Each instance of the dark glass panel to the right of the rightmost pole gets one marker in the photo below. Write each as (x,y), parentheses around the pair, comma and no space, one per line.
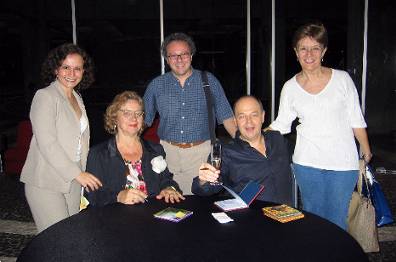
(381,71)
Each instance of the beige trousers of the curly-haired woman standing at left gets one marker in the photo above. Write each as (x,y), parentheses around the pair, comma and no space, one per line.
(49,207)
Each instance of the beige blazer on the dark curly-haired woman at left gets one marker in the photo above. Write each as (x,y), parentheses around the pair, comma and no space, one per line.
(50,162)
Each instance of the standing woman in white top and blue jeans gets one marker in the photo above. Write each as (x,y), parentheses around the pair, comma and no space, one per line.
(325,100)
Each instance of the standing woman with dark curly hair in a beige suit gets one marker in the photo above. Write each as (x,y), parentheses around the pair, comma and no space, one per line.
(54,169)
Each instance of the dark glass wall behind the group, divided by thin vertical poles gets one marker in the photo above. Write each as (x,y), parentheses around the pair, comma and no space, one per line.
(123,37)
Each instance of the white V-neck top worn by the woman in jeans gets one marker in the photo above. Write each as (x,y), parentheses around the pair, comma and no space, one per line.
(325,136)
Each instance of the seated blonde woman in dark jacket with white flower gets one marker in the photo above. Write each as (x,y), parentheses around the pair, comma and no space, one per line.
(131,169)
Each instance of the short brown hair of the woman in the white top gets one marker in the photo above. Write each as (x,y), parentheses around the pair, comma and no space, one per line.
(315,30)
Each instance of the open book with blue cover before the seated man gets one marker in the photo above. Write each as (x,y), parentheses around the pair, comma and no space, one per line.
(241,200)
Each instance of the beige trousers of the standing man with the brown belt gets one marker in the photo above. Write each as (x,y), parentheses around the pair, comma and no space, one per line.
(184,163)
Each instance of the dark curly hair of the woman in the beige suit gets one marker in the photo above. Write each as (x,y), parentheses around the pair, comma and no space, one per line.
(55,58)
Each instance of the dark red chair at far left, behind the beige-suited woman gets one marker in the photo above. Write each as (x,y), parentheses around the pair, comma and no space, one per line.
(14,158)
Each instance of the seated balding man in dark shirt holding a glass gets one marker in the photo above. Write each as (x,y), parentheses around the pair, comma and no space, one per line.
(253,155)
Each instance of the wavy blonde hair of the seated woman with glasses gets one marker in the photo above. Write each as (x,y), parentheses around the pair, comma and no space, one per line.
(110,117)
